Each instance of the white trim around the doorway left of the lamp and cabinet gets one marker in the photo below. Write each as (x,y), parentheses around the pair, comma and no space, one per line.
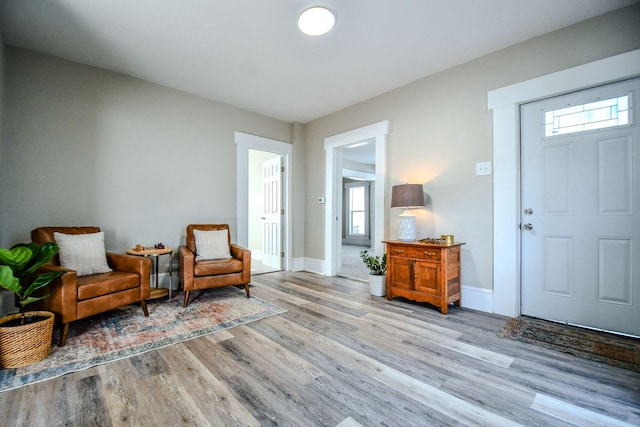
(333,187)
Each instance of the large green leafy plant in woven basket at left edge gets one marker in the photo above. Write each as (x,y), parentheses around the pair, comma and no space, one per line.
(25,337)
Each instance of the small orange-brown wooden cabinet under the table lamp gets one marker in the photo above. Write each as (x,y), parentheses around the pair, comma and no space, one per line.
(424,272)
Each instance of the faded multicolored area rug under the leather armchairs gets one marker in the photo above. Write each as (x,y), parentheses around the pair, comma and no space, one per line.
(125,332)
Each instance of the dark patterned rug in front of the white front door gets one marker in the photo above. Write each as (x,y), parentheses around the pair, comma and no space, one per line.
(604,347)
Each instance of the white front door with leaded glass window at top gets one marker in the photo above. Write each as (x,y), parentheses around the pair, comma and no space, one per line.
(580,201)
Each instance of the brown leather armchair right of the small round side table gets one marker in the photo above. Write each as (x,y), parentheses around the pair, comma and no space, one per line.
(197,275)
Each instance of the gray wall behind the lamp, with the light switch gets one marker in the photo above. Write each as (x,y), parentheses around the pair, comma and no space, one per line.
(440,127)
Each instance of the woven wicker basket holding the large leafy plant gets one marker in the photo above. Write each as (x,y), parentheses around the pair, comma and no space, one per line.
(25,344)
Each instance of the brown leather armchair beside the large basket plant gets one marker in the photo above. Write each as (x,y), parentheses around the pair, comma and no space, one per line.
(74,298)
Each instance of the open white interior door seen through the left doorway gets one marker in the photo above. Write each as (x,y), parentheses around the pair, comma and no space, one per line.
(272,212)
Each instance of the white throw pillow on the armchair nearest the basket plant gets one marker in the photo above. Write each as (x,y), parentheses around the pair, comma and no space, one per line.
(84,253)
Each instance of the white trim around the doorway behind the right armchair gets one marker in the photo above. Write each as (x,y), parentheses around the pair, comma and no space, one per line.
(245,142)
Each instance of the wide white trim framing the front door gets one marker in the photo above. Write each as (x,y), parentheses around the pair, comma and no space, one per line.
(505,104)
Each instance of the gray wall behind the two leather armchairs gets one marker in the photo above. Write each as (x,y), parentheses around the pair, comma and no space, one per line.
(84,146)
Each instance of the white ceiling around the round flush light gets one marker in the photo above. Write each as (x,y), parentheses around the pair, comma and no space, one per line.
(250,54)
